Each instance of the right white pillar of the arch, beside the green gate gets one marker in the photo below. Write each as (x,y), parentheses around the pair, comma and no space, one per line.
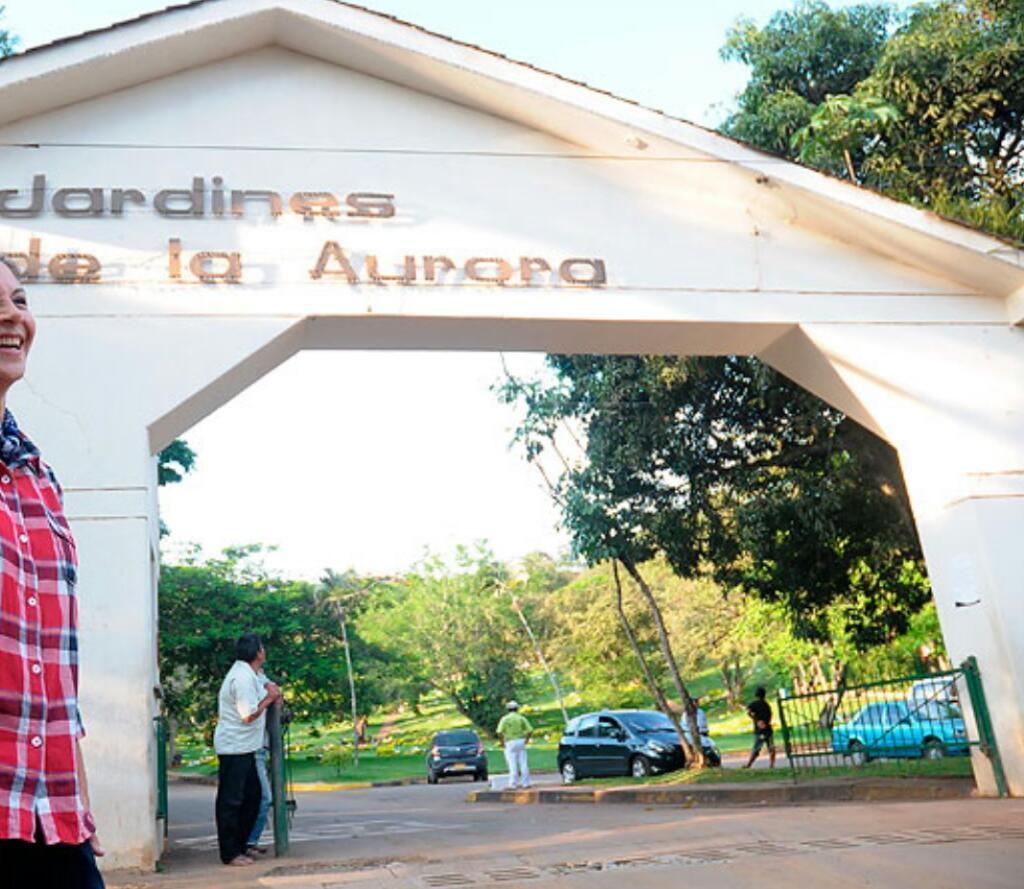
(952,400)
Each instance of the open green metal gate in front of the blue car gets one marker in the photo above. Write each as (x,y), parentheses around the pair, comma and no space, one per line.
(909,721)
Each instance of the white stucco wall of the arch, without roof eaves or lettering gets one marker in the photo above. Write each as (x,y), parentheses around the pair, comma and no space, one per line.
(700,259)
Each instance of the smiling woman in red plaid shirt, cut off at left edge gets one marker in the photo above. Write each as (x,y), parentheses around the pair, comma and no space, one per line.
(48,833)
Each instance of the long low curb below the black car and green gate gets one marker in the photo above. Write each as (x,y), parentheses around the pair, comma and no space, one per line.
(840,790)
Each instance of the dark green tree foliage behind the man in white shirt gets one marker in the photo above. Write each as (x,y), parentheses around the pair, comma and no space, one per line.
(205,607)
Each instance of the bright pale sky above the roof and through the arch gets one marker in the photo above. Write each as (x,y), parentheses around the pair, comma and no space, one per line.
(411,453)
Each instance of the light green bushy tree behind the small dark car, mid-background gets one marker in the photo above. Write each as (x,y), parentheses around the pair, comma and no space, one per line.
(453,630)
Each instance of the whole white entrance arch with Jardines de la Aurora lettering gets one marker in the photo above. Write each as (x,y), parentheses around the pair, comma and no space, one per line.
(537,215)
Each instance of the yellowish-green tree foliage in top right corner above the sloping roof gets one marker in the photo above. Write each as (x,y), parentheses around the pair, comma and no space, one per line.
(956,72)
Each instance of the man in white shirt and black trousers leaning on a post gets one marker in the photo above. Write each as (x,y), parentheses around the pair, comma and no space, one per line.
(242,707)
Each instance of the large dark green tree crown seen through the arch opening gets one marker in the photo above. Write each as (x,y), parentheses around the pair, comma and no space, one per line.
(724,465)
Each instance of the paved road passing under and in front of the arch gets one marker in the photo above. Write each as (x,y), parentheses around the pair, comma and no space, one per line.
(429,837)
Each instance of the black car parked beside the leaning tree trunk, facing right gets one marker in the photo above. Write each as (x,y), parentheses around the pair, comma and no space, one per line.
(634,743)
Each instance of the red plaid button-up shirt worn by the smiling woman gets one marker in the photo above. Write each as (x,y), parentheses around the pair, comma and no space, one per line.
(39,716)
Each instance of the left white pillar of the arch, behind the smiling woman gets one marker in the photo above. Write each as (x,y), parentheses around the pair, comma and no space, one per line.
(133,386)
